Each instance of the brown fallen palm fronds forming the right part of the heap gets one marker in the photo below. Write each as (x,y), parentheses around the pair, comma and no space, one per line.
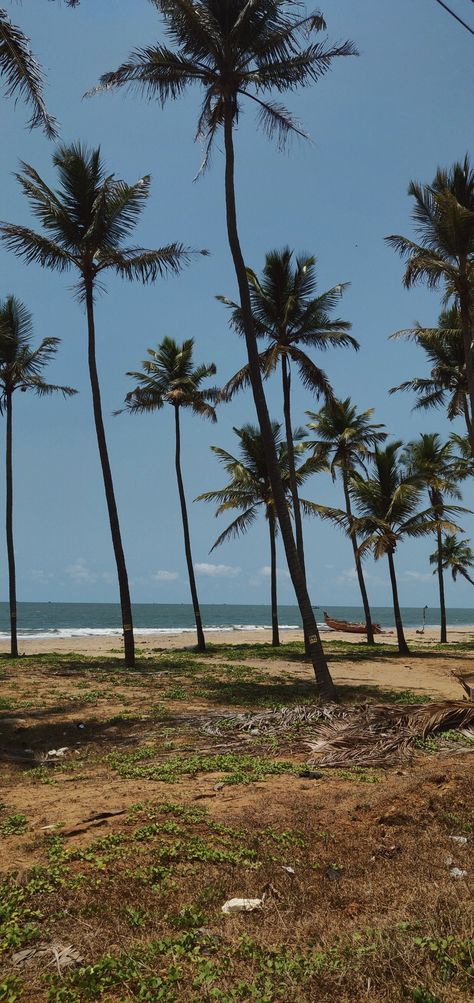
(383,736)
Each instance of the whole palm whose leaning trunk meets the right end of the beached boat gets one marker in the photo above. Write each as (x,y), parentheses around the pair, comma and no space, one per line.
(348,438)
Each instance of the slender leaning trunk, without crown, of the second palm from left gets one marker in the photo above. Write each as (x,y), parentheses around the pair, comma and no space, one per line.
(128,624)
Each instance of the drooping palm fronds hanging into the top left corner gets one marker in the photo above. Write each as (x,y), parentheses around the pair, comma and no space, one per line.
(24,76)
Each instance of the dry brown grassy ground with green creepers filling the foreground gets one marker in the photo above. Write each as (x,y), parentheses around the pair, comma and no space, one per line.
(372,912)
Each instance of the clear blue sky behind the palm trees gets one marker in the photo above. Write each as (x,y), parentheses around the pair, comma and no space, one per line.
(394,114)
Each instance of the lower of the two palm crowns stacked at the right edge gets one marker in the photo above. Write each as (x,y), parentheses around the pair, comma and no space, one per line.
(446,387)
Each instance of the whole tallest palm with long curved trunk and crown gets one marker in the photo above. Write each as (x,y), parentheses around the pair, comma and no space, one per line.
(238,50)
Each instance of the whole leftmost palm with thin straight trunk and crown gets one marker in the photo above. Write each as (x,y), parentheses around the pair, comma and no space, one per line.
(22,369)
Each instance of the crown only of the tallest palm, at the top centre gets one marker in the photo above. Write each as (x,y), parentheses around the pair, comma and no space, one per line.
(234,50)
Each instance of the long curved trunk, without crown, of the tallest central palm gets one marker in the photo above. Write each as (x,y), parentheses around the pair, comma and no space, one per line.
(317,655)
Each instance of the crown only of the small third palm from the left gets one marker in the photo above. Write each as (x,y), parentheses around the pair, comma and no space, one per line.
(170,377)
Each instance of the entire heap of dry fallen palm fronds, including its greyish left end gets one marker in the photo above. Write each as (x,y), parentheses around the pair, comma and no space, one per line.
(369,736)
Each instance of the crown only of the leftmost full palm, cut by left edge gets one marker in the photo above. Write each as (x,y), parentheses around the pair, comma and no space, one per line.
(22,366)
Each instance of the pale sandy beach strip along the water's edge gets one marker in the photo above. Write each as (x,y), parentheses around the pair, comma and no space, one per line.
(111,643)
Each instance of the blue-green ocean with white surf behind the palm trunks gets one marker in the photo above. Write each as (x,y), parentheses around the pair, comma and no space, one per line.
(57,620)
